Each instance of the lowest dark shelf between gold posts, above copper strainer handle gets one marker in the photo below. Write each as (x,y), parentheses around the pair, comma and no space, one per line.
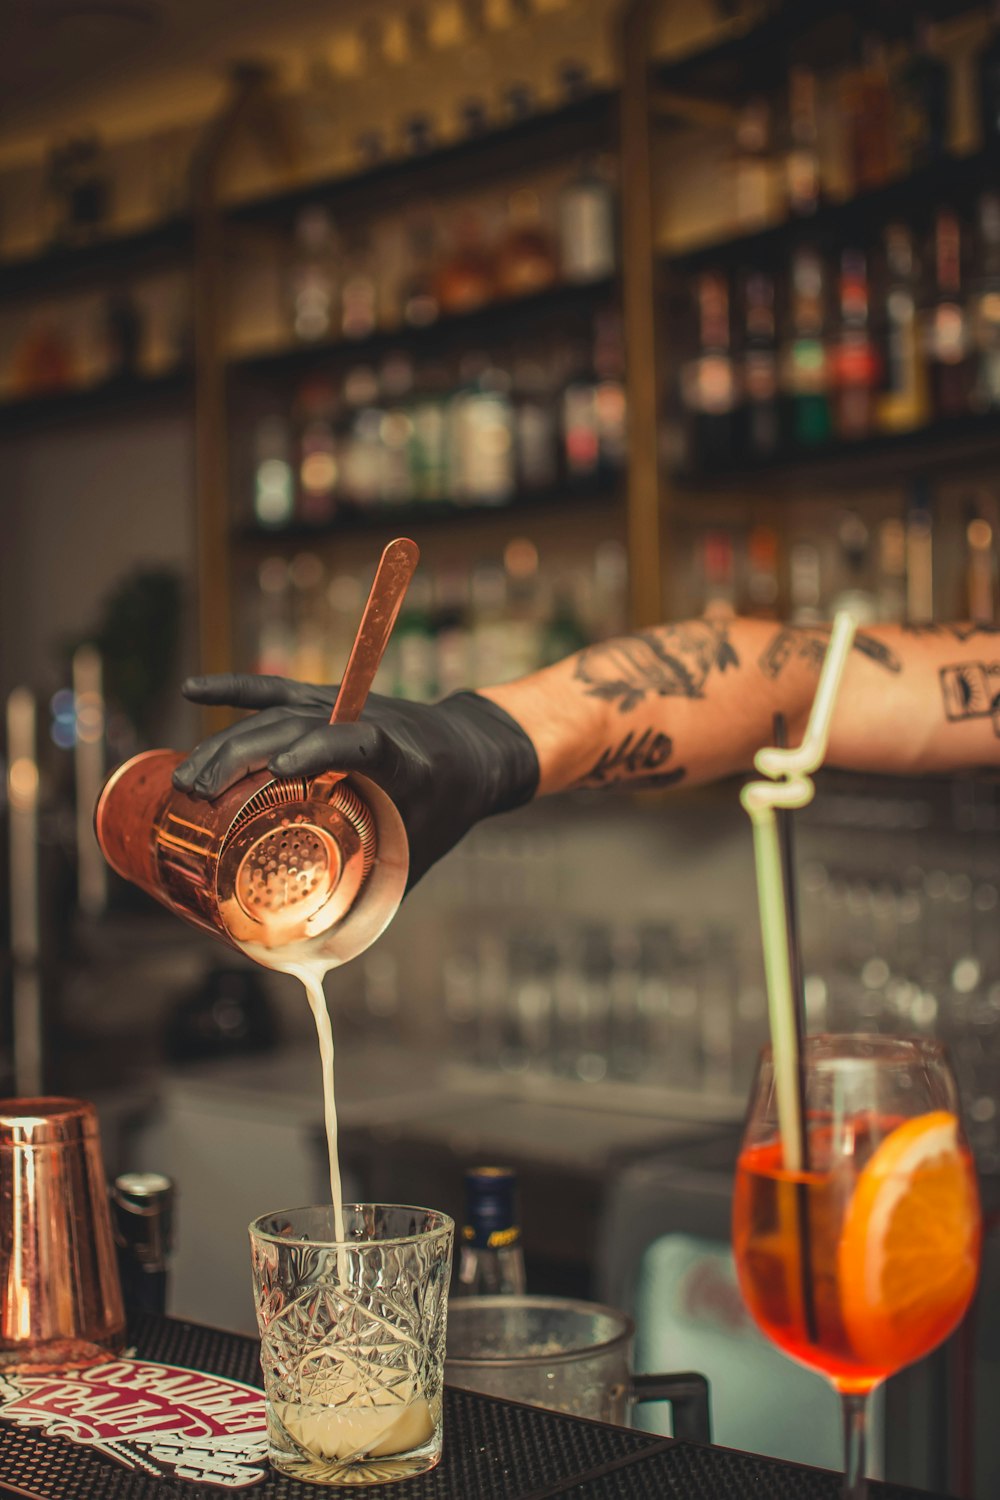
(567,500)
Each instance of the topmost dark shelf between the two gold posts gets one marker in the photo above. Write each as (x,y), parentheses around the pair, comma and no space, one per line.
(582,125)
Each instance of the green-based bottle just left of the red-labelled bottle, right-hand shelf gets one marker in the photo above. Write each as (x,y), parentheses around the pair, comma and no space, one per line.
(806,362)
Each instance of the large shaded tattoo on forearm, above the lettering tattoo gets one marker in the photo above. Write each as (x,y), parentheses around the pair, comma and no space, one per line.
(668,662)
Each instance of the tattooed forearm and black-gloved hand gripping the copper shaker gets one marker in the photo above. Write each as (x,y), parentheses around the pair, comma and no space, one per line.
(684,703)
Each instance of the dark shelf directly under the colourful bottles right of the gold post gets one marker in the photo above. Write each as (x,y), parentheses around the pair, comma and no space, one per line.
(938,451)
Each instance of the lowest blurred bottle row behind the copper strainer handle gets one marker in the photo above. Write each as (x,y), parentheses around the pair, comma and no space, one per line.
(460,628)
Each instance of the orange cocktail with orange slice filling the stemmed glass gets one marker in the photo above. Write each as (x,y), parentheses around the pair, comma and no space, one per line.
(893,1244)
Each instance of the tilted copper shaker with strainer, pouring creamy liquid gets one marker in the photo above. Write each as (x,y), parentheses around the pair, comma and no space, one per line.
(274,865)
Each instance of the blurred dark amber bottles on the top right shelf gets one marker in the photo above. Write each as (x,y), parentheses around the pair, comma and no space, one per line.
(887,115)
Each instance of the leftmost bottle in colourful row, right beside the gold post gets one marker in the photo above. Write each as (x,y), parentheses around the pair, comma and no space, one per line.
(710,380)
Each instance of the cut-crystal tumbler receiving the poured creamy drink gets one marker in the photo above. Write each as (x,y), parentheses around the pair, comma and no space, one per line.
(353,1337)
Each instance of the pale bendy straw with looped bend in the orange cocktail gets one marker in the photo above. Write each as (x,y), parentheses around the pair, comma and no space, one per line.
(789,787)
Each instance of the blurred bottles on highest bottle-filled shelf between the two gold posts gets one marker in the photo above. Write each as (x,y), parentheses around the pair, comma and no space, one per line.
(346,284)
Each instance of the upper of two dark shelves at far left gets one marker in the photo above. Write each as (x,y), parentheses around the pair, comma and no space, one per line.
(65,268)
